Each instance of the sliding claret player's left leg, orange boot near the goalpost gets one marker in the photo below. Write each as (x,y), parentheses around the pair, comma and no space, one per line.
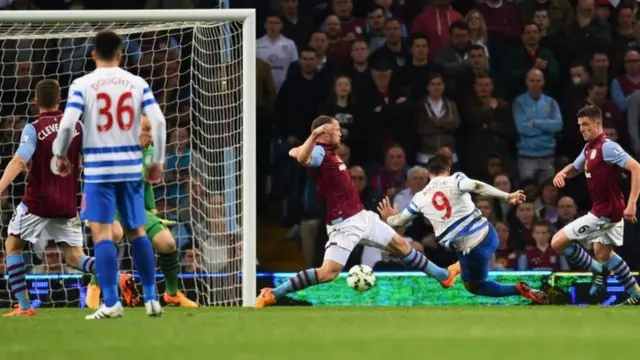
(302,280)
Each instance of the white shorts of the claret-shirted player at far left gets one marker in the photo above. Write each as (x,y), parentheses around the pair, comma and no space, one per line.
(38,230)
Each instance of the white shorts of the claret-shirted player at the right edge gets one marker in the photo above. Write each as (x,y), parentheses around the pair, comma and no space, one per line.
(590,228)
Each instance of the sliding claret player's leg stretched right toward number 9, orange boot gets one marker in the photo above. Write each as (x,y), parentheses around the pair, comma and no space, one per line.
(402,249)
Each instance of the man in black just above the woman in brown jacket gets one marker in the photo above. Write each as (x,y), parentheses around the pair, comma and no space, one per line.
(414,74)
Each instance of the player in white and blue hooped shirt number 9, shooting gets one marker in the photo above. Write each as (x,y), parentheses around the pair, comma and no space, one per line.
(446,202)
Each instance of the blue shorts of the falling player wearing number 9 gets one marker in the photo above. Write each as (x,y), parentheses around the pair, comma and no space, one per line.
(475,264)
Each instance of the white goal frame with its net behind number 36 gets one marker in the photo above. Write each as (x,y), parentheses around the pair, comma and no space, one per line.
(220,102)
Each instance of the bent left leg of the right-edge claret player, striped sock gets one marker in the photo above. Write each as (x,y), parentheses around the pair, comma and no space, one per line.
(577,256)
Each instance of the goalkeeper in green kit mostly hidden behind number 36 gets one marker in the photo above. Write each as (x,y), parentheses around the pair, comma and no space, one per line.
(160,236)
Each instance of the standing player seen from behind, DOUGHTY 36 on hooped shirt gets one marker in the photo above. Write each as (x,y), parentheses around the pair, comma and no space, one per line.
(112,101)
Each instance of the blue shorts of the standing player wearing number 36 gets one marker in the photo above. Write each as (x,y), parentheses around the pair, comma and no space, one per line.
(101,200)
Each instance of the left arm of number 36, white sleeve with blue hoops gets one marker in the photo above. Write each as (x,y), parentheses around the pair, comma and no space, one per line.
(72,113)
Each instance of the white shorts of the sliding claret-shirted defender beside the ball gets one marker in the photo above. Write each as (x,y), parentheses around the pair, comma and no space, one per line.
(365,228)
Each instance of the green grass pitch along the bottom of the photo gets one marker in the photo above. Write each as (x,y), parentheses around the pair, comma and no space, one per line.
(430,333)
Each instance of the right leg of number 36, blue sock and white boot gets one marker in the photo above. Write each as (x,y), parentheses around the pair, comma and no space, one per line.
(144,261)
